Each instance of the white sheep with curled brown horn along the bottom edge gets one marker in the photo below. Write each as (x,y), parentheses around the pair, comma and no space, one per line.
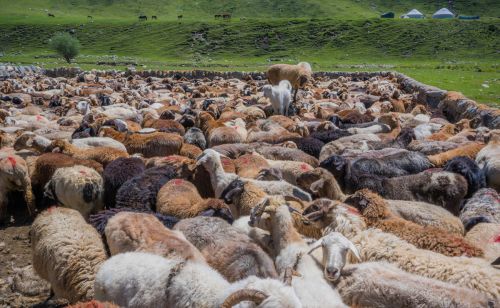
(137,279)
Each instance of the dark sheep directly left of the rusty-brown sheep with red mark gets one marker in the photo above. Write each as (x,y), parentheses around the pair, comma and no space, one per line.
(140,191)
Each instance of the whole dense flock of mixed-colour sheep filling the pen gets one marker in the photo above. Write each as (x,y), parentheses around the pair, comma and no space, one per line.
(176,192)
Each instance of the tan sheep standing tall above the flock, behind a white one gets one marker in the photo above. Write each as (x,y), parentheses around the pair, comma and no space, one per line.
(298,75)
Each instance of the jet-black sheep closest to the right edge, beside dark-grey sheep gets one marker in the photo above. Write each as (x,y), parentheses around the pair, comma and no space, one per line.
(469,169)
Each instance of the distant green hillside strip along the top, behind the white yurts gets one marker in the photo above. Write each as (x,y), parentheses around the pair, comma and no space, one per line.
(33,10)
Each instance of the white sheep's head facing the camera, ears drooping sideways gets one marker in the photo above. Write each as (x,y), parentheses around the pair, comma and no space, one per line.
(335,248)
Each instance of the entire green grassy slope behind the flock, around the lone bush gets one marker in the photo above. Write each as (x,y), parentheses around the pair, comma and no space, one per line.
(457,55)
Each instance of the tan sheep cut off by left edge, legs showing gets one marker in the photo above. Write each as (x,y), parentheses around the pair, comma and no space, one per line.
(14,177)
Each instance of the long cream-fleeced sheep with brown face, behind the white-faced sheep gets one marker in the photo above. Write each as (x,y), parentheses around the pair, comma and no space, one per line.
(376,245)
